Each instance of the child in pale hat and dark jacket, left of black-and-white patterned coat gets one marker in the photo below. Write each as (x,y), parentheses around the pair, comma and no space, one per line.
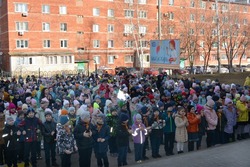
(49,135)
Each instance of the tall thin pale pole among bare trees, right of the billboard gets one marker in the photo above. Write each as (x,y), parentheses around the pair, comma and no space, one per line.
(218,35)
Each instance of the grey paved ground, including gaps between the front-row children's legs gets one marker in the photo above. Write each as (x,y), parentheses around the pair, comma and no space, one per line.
(231,155)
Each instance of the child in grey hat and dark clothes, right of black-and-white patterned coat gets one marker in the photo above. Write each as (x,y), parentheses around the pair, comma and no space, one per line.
(83,134)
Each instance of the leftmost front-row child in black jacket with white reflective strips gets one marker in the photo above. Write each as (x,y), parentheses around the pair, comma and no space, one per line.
(11,135)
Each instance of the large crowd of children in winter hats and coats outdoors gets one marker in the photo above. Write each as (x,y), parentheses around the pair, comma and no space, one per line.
(64,115)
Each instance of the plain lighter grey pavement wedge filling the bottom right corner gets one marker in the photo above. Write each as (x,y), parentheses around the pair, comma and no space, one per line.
(231,155)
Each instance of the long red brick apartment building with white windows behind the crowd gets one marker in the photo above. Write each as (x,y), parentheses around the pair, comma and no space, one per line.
(52,35)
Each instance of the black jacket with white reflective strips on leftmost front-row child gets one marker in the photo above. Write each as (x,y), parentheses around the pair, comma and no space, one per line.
(10,141)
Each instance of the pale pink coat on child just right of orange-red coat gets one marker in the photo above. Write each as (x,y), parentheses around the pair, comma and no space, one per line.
(211,118)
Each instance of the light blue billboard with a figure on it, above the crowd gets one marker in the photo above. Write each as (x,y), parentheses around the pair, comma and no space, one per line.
(165,54)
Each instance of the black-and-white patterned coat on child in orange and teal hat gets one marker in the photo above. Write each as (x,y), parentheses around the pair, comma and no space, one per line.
(65,141)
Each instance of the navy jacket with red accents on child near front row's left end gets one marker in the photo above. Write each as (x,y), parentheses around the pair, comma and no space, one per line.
(31,125)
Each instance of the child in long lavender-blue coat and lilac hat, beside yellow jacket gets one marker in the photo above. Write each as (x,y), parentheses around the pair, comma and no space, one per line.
(230,113)
